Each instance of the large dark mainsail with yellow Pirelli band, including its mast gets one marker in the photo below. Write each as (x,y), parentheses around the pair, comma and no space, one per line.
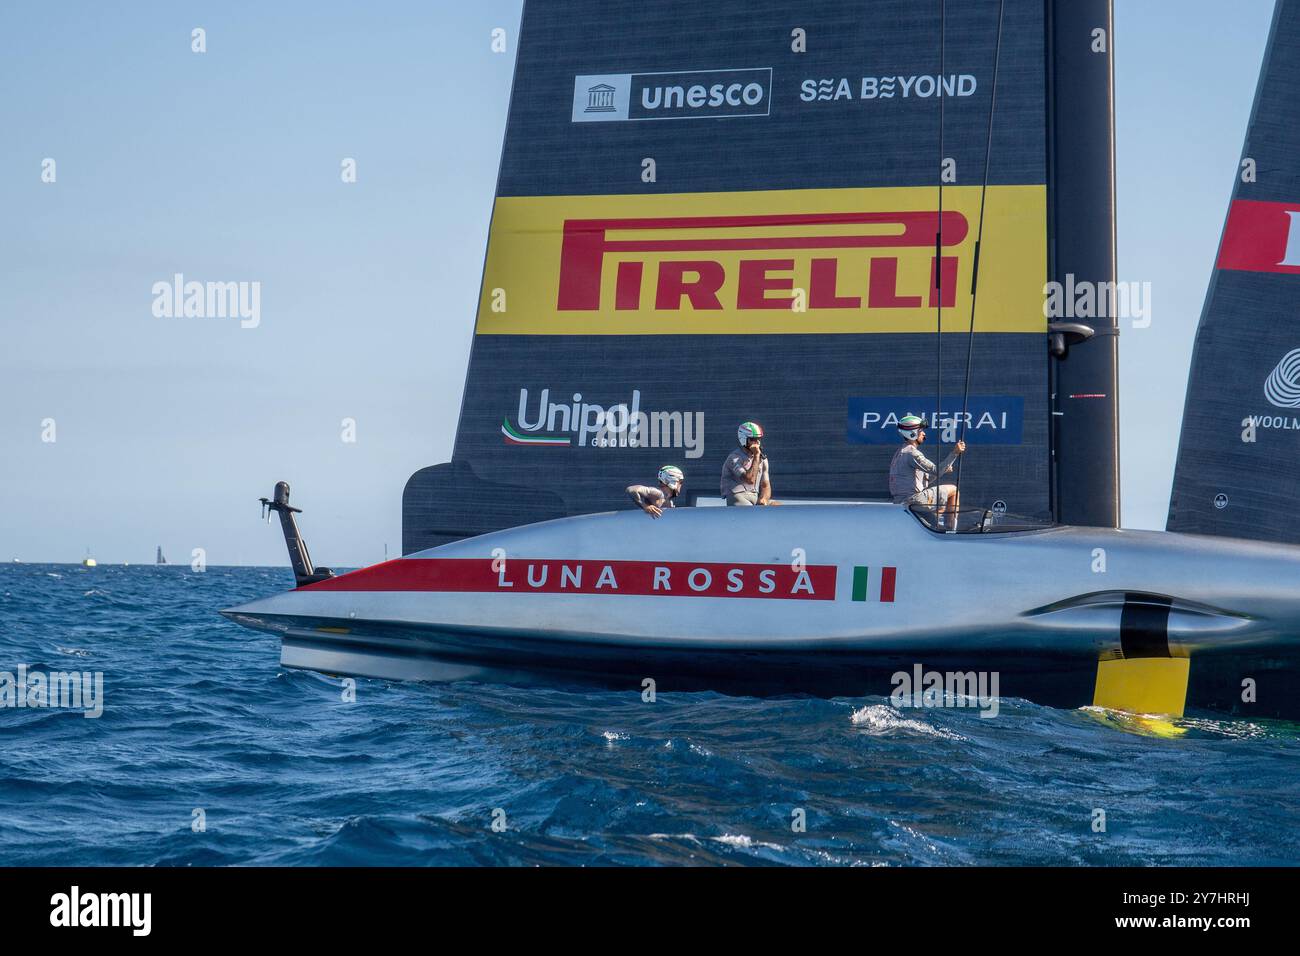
(716,214)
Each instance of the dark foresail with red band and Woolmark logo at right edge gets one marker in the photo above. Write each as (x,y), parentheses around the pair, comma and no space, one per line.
(1236,474)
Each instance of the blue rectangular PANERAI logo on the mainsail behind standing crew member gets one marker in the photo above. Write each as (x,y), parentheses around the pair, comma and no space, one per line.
(987,419)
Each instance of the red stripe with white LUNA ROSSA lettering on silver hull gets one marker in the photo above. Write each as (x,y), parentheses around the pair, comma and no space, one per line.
(584,577)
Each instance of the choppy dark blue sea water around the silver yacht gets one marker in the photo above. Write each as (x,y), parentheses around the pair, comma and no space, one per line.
(210,754)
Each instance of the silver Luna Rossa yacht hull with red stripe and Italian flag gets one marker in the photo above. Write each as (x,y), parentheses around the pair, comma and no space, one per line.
(827,600)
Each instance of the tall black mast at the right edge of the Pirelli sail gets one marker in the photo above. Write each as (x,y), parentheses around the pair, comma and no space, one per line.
(1082,174)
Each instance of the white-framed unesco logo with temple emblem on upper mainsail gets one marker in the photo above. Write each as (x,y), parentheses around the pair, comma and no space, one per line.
(686,96)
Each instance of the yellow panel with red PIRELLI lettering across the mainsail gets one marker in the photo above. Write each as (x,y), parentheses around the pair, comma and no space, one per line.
(820,261)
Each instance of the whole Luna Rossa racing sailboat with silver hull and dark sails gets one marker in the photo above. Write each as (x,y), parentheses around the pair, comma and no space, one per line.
(824,252)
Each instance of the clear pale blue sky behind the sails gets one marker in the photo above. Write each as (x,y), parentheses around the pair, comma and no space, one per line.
(228,165)
